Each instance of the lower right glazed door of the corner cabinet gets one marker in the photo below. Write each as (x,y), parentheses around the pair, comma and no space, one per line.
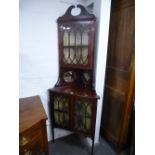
(83,116)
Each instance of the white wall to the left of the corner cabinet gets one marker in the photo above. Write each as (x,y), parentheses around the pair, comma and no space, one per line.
(38,49)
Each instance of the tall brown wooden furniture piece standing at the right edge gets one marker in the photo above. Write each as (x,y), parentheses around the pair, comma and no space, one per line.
(119,82)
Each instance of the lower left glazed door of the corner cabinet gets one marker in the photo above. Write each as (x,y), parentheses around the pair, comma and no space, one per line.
(61,111)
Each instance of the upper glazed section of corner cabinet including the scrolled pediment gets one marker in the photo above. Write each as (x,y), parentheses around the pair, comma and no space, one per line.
(76,39)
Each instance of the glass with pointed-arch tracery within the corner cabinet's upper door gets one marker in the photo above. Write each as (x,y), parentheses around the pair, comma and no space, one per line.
(76,37)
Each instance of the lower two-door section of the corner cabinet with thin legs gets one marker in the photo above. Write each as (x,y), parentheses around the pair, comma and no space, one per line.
(73,112)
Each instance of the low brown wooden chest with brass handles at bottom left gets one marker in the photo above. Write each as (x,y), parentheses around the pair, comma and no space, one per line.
(32,127)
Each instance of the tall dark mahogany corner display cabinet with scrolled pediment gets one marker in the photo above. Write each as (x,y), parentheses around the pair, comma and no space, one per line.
(73,100)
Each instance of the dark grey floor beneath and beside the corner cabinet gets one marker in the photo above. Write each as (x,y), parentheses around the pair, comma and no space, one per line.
(74,145)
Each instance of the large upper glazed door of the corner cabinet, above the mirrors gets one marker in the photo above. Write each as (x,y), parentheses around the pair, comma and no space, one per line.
(76,47)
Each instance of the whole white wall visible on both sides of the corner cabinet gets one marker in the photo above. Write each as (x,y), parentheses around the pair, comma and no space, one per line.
(39,49)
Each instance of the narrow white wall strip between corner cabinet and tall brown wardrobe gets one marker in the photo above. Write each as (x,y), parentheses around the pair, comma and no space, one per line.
(102,13)
